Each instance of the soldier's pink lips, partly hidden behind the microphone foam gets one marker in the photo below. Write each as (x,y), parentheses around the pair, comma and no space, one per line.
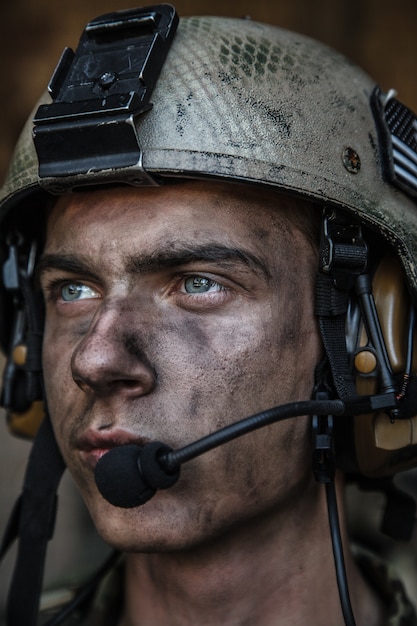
(92,445)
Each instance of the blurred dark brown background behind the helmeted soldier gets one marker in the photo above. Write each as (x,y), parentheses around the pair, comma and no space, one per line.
(379,35)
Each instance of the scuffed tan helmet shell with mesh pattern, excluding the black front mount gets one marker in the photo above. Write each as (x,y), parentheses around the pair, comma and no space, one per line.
(254,103)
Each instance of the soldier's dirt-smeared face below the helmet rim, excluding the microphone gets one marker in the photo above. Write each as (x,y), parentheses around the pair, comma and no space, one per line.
(170,313)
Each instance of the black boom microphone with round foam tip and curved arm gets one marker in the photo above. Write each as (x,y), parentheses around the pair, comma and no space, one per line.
(128,476)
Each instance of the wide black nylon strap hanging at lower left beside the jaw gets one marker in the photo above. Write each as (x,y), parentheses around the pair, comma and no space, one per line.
(36,517)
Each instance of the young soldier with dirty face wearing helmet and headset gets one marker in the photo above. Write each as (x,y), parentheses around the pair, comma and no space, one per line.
(199,225)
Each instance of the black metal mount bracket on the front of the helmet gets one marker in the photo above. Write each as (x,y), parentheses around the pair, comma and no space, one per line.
(98,93)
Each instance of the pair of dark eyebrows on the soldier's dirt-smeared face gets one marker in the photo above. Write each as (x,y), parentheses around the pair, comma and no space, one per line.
(173,256)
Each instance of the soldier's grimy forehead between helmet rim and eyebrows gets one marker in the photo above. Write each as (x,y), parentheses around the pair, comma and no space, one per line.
(198,211)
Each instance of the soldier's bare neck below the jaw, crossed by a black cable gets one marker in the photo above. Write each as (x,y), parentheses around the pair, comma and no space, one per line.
(266,572)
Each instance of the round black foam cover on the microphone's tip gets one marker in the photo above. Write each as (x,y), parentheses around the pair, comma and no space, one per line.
(128,476)
